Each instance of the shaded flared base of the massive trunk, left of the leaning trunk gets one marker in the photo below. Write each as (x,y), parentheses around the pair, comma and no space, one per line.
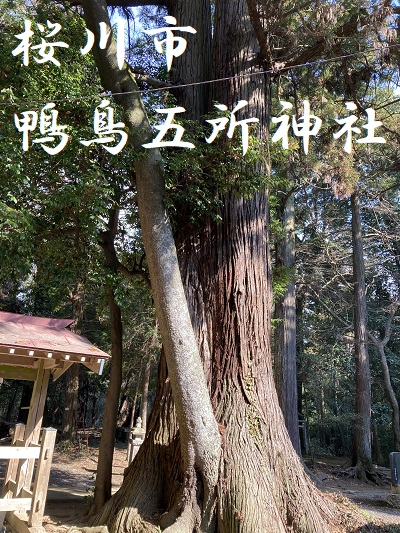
(155,476)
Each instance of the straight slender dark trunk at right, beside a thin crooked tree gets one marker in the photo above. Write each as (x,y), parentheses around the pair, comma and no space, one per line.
(362,455)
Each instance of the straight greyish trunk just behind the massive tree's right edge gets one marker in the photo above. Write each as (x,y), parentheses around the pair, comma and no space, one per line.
(285,371)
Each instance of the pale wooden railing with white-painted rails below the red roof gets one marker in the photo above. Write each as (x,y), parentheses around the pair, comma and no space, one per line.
(18,493)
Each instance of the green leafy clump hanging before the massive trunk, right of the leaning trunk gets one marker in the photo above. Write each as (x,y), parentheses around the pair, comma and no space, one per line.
(197,179)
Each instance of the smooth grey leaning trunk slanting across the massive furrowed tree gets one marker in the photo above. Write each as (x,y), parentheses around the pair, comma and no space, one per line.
(200,443)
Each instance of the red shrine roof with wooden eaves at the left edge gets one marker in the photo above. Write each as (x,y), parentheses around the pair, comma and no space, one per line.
(24,340)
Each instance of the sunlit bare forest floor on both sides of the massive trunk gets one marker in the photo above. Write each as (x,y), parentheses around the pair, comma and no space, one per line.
(73,475)
